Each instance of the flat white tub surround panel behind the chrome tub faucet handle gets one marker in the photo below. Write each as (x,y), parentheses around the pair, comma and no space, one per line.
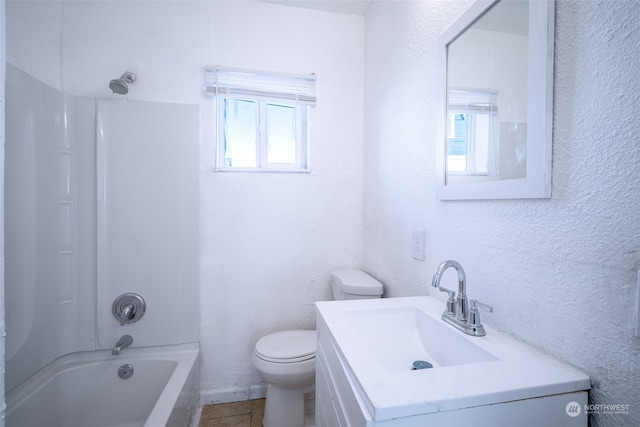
(147,157)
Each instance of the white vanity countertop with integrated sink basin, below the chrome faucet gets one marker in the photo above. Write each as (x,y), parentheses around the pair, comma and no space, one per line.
(379,339)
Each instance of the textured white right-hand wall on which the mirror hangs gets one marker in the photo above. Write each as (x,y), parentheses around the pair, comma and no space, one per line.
(561,273)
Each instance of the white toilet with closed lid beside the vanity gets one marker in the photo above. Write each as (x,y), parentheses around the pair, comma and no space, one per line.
(286,360)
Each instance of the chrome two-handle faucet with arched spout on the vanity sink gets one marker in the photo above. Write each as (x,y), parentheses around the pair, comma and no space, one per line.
(458,314)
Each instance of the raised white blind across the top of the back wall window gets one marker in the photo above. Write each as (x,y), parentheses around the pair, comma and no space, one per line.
(261,84)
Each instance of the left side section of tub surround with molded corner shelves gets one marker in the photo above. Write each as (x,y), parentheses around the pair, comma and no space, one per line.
(50,218)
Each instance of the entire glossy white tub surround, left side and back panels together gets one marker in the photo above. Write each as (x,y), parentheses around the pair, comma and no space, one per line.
(84,200)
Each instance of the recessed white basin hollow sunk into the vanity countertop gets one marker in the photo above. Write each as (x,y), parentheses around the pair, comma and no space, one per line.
(397,337)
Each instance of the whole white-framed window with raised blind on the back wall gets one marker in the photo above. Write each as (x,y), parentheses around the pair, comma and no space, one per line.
(262,119)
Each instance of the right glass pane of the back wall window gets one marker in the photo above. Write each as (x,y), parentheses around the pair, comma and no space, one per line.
(281,133)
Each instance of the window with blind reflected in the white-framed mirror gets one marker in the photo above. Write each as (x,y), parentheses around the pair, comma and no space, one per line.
(471,118)
